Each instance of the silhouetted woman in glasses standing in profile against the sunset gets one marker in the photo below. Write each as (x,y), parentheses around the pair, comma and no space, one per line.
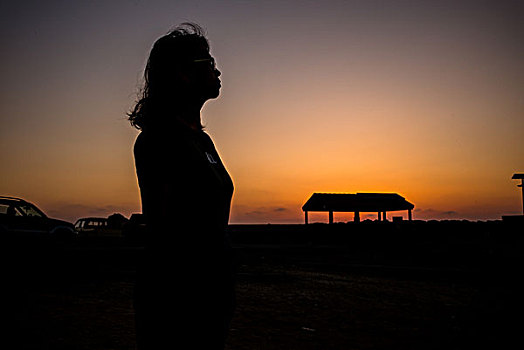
(184,289)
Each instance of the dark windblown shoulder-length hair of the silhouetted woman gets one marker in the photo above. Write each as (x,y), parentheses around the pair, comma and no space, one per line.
(168,53)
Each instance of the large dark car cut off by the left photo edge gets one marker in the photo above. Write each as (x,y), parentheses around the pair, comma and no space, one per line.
(21,219)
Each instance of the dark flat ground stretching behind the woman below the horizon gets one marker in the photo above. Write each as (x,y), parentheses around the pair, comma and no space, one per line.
(422,285)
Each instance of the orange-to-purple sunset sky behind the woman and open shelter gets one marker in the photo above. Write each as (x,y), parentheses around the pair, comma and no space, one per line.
(420,98)
